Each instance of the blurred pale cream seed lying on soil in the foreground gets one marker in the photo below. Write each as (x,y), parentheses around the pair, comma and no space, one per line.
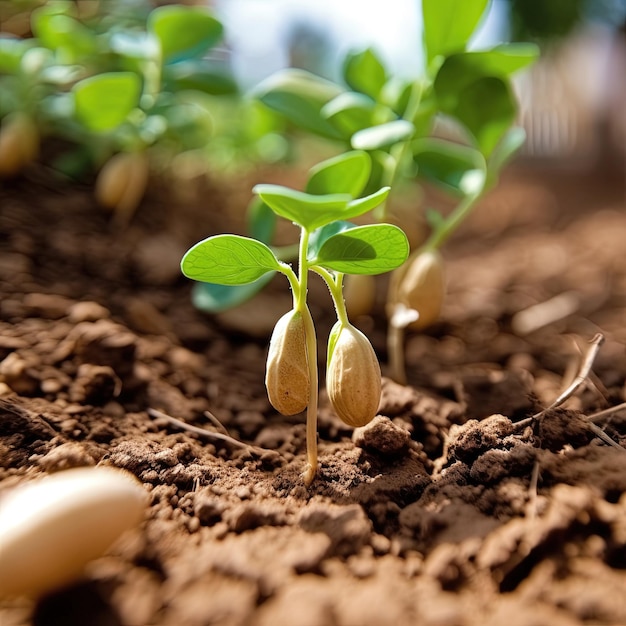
(52,527)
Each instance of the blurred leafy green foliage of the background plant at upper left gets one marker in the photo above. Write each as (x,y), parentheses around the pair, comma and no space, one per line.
(116,77)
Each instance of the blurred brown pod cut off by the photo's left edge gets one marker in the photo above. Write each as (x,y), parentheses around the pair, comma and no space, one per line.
(19,144)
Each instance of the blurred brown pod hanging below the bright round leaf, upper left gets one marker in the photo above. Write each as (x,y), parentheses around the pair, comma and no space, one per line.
(122,183)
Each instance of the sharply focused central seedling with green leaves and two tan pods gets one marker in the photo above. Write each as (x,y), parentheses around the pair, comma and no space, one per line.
(331,247)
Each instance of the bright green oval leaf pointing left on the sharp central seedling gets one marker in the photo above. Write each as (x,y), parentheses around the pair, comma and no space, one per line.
(228,260)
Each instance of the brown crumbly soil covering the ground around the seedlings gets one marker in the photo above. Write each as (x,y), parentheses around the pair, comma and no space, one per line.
(451,508)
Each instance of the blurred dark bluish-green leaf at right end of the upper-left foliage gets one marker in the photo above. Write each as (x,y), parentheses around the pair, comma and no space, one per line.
(199,75)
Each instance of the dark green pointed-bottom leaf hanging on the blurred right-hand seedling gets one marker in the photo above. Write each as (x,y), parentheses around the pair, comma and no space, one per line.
(487,108)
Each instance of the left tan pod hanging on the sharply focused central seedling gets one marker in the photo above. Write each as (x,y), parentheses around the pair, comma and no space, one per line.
(287,372)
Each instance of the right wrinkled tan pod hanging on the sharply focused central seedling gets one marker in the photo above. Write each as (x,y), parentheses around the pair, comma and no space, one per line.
(353,378)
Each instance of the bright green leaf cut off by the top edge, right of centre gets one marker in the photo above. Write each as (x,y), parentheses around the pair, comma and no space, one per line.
(449,24)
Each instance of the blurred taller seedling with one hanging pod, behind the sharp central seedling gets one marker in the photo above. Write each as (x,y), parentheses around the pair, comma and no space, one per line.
(397,122)
